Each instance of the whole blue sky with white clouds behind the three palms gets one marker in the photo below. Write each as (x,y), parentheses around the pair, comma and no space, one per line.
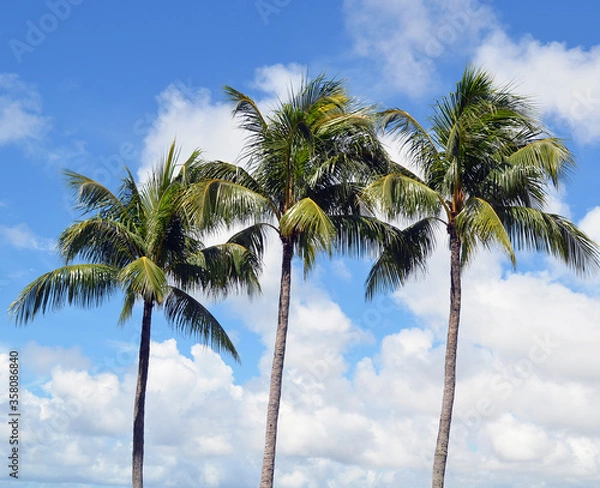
(94,86)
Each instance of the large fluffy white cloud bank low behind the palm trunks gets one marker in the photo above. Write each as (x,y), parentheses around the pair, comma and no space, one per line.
(525,409)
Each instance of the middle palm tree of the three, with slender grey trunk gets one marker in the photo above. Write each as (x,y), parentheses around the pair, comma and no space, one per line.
(306,163)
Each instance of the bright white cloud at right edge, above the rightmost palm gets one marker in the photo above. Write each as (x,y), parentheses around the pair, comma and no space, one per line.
(562,80)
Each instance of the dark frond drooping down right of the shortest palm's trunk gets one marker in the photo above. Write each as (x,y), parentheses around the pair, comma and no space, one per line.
(189,316)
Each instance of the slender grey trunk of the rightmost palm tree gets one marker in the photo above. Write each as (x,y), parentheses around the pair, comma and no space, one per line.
(441,449)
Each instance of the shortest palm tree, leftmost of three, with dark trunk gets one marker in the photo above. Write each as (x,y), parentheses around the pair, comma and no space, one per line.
(140,241)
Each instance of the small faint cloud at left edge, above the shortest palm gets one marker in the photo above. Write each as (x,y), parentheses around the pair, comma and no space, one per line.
(20,111)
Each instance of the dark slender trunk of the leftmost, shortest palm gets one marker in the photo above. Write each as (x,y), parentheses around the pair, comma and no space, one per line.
(137,475)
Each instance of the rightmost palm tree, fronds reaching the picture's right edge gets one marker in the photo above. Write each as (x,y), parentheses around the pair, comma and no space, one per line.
(484,171)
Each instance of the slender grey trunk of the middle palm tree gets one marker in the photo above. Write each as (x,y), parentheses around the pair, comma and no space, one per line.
(268,467)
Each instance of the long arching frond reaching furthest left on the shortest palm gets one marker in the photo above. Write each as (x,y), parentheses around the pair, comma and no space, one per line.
(84,285)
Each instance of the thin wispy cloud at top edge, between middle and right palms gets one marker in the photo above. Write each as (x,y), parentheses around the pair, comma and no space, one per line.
(406,38)
